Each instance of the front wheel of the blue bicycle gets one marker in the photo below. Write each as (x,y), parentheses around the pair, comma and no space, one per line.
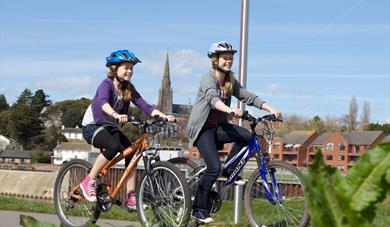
(291,211)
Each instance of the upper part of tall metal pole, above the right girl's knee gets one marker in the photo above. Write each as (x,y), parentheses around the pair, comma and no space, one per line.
(243,49)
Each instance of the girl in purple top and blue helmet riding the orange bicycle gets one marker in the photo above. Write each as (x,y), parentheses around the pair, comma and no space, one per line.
(108,110)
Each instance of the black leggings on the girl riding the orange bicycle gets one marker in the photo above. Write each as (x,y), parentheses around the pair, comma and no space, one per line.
(112,141)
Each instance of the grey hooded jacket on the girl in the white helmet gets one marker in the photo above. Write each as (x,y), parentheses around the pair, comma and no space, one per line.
(208,95)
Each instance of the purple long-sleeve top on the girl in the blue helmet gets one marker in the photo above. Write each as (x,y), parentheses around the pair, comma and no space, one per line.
(106,94)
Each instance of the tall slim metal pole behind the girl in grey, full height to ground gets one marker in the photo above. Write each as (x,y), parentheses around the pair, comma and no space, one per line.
(243,65)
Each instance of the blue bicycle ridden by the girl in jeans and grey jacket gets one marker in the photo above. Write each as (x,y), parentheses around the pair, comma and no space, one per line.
(274,192)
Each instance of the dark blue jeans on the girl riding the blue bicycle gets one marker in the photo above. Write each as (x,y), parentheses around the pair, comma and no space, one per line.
(207,142)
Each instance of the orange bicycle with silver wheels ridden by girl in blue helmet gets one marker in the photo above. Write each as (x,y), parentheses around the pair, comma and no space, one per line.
(162,192)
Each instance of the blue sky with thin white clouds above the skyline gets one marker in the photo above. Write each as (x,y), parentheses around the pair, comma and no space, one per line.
(304,57)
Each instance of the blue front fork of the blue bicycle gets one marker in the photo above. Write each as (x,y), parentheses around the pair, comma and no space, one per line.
(264,170)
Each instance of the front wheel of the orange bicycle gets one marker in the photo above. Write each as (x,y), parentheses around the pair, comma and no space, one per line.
(171,205)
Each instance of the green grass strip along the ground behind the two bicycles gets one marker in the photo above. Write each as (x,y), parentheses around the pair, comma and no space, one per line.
(224,217)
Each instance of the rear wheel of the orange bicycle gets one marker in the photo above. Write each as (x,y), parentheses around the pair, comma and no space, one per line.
(73,212)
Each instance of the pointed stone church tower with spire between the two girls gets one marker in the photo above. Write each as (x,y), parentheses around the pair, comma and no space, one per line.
(165,98)
